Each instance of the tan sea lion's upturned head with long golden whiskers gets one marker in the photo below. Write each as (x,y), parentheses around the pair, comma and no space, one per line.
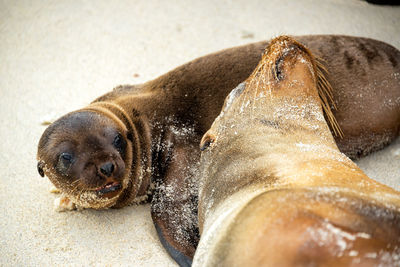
(288,73)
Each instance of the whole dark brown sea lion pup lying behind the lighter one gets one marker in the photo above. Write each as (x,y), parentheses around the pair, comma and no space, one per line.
(111,152)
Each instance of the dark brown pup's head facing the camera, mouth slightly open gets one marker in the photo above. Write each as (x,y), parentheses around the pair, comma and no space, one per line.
(87,154)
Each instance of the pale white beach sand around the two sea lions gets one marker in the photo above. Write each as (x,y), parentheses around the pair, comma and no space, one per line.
(57,56)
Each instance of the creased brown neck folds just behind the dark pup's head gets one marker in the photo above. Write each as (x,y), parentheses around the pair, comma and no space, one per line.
(139,162)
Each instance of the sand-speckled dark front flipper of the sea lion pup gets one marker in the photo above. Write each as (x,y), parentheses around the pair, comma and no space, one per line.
(174,204)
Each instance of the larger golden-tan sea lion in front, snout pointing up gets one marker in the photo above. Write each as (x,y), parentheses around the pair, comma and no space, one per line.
(274,188)
